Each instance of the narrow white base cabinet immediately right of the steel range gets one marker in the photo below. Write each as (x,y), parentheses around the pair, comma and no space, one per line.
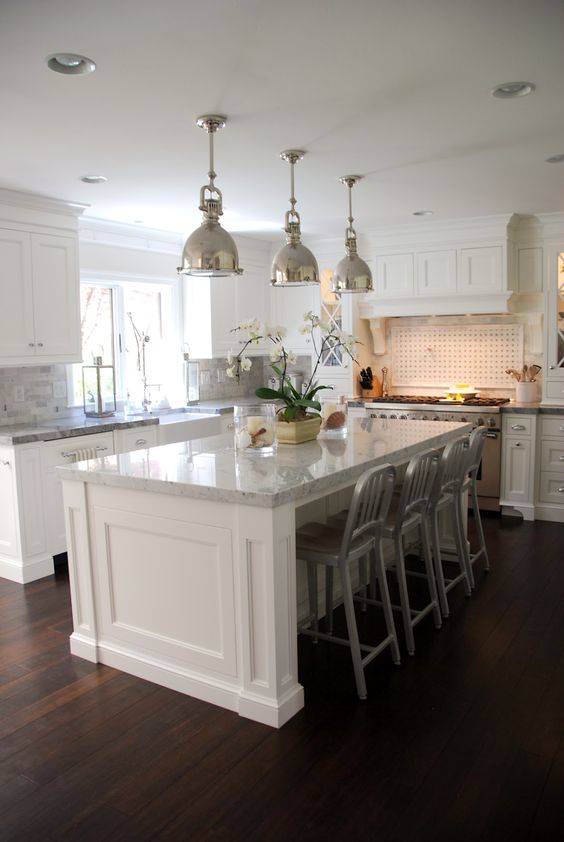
(518,463)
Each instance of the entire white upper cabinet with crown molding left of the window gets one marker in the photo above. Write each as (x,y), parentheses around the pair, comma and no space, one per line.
(39,281)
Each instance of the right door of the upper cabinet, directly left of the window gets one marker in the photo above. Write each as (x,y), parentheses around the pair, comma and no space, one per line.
(56,307)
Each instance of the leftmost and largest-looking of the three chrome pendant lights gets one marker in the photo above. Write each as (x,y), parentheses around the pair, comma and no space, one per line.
(210,250)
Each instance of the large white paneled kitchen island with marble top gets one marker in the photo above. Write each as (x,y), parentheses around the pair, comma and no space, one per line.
(182,559)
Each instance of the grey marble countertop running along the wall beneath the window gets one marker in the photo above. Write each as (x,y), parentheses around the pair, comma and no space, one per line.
(63,428)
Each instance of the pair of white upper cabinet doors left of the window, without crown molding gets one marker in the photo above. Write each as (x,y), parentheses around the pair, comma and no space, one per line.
(40,314)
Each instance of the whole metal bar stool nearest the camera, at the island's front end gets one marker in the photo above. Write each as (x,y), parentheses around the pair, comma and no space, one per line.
(337,546)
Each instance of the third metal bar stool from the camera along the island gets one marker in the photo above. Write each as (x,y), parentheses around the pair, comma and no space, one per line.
(448,496)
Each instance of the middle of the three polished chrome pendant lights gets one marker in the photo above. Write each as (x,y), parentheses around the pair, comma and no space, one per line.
(294,264)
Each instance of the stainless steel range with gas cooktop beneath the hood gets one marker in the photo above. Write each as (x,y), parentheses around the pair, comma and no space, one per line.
(480,412)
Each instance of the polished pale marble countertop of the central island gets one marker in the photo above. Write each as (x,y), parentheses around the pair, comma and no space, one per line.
(211,470)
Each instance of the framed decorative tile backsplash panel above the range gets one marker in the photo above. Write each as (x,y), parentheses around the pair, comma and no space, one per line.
(477,354)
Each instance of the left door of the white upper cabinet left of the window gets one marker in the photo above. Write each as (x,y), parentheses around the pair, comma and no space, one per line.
(17,338)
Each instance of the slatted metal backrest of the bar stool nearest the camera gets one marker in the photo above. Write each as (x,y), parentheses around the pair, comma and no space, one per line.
(369,505)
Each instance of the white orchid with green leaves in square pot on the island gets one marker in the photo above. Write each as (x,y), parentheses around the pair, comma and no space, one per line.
(299,417)
